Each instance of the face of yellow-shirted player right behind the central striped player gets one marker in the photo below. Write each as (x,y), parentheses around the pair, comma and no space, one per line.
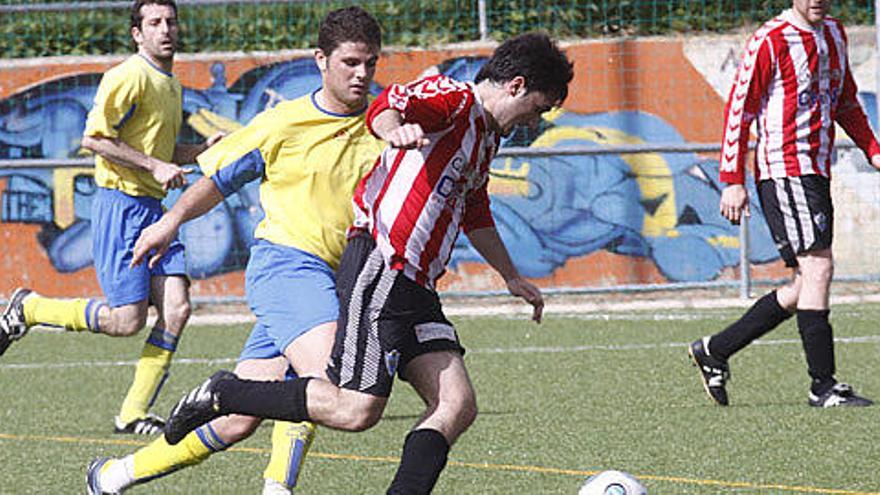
(347,73)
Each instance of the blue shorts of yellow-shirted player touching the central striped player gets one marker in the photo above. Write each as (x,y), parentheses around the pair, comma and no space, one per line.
(290,292)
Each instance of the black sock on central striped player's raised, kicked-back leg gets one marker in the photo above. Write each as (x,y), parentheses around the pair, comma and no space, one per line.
(284,401)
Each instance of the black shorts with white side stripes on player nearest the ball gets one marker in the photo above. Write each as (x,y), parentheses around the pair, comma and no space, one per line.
(385,320)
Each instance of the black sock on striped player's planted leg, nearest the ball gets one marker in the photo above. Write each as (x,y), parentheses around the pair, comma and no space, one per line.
(424,456)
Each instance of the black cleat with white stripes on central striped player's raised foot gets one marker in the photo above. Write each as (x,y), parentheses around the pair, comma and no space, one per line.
(199,406)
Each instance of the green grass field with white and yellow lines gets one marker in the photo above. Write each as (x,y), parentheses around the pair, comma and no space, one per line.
(557,401)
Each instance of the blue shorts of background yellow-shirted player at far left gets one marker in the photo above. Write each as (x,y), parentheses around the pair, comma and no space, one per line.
(117,221)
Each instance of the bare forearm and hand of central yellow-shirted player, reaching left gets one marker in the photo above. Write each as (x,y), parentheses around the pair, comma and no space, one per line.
(193,203)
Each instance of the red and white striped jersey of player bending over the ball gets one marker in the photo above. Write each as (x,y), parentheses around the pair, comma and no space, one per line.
(414,202)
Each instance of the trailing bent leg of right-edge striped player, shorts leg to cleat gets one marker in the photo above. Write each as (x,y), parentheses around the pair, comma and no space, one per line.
(711,353)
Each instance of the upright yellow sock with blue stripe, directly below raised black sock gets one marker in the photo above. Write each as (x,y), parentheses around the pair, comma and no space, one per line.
(290,444)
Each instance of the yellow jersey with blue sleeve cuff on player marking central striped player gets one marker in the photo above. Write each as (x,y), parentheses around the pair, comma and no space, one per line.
(309,162)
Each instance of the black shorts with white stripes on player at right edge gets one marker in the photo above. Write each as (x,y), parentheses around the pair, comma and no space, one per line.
(799,213)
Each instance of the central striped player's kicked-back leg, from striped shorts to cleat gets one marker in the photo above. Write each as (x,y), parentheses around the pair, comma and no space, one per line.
(356,395)
